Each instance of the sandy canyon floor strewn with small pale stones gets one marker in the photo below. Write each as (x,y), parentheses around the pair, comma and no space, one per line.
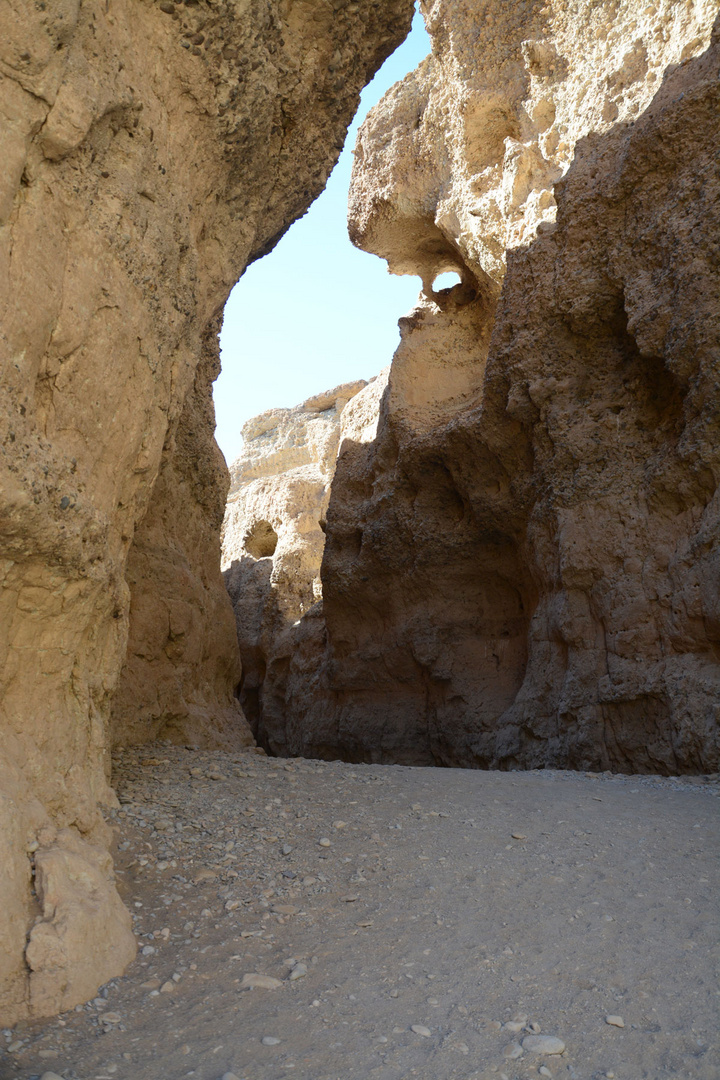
(409,923)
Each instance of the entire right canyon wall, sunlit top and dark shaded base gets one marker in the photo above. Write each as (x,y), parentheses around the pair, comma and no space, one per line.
(523,570)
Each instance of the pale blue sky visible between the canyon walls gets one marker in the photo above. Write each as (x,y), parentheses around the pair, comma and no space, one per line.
(316,313)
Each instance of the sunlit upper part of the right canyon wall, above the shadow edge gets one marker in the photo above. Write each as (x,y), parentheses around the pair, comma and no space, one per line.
(458,165)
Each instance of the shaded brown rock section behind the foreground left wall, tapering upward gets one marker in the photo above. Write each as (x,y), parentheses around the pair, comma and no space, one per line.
(183,667)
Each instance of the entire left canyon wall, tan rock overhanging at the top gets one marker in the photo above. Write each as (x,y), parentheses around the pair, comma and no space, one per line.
(151,152)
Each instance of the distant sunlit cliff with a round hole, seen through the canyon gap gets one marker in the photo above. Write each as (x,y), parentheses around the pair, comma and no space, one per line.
(274,534)
